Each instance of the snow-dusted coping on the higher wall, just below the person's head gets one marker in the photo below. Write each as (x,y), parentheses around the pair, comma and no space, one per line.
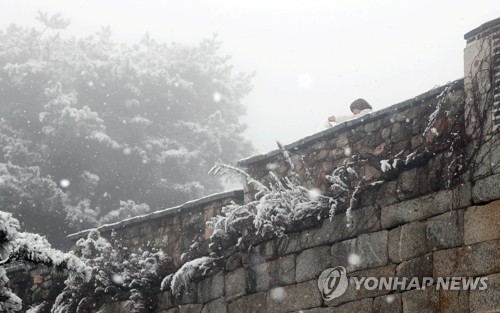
(350,124)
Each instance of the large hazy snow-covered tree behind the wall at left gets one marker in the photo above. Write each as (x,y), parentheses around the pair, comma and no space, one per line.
(107,122)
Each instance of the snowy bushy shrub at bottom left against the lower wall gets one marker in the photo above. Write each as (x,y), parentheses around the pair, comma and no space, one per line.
(114,272)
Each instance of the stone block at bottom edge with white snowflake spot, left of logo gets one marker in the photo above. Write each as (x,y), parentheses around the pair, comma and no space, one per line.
(301,296)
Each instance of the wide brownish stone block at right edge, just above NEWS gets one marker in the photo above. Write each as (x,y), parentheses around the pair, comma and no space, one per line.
(475,260)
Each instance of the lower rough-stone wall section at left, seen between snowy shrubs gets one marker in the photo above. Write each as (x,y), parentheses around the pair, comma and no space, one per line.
(173,230)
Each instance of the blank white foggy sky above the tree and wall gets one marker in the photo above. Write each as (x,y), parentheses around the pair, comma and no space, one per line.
(311,58)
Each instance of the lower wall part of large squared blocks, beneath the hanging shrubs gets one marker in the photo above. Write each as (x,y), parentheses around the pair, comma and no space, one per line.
(444,239)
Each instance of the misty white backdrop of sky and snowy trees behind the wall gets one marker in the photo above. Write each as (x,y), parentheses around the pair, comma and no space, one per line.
(117,108)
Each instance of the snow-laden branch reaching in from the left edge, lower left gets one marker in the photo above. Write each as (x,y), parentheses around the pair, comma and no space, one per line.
(20,246)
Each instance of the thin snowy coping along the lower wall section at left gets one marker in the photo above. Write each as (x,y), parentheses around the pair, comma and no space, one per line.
(183,208)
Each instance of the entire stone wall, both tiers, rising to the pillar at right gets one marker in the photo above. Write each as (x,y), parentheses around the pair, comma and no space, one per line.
(425,203)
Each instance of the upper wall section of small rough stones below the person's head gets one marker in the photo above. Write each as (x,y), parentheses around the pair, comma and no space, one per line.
(397,132)
